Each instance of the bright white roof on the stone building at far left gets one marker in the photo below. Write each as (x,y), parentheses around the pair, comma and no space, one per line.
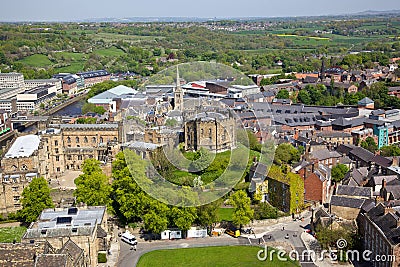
(24,146)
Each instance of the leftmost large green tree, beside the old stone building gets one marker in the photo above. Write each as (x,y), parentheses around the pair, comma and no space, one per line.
(35,198)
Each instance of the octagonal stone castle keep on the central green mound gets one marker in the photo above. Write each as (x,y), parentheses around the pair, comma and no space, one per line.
(210,130)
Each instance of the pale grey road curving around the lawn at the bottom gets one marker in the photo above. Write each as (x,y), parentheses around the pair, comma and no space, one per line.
(283,232)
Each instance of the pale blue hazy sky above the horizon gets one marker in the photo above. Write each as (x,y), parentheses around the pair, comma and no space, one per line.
(55,10)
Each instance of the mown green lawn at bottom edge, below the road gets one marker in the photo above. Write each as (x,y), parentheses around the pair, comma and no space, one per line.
(209,256)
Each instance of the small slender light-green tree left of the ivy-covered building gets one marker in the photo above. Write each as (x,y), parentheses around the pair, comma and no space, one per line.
(242,213)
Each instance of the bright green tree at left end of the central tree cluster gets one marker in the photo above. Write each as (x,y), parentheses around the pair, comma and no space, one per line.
(92,187)
